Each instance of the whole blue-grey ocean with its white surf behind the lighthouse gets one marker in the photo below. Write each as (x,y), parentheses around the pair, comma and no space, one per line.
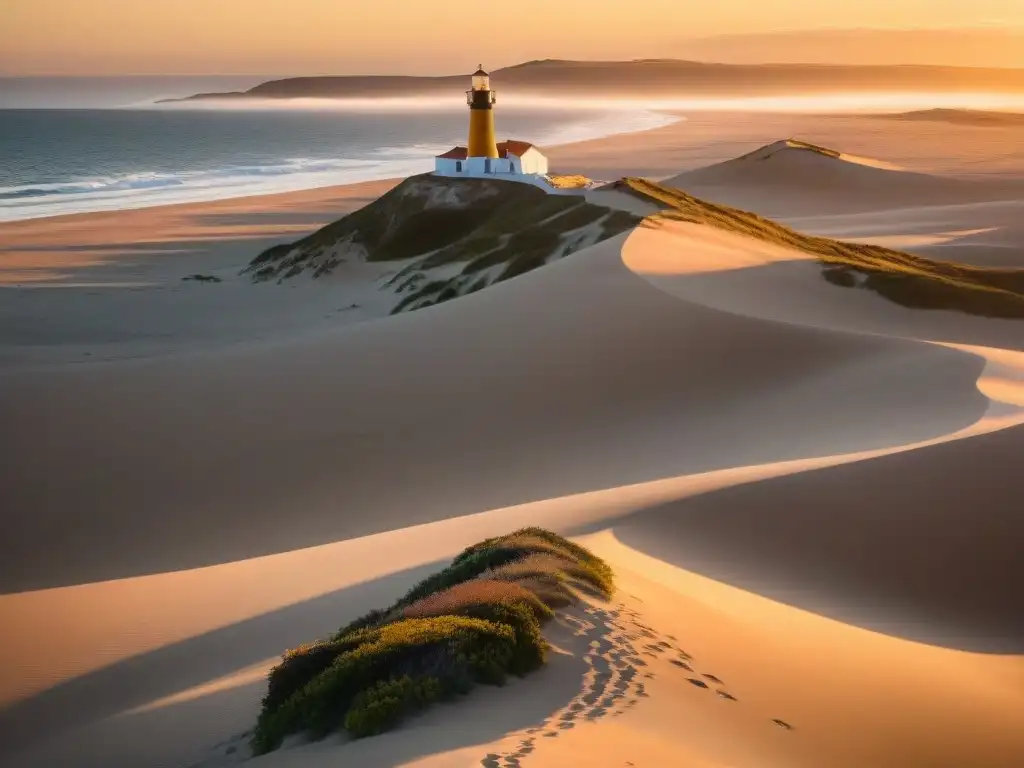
(59,161)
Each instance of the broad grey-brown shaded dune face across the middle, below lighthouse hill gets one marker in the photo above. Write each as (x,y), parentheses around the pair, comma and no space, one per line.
(177,464)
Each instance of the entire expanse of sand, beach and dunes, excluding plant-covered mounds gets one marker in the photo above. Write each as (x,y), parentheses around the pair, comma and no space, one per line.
(810,489)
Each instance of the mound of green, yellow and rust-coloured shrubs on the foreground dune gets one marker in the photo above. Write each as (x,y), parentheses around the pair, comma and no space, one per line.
(476,622)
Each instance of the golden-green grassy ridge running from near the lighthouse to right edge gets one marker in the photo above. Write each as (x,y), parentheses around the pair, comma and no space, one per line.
(904,279)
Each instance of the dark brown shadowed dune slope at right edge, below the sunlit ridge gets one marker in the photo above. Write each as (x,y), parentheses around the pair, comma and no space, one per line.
(924,545)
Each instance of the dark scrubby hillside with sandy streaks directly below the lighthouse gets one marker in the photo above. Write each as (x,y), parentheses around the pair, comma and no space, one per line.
(448,238)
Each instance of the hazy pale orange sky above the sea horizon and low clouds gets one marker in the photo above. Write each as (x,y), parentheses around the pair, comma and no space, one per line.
(93,37)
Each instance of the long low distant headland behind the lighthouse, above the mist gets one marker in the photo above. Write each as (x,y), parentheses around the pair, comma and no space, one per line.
(650,77)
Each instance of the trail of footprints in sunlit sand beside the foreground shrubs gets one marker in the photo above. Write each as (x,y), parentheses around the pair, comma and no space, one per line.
(616,680)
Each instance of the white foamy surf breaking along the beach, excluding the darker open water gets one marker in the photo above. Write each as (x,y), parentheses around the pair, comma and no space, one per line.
(146,189)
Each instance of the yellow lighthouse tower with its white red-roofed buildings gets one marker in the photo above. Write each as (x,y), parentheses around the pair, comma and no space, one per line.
(485,156)
